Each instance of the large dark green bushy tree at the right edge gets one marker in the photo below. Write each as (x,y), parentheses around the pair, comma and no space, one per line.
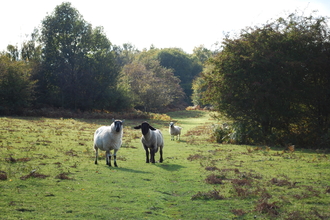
(273,82)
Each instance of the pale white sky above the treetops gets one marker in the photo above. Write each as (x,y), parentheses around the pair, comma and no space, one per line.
(164,23)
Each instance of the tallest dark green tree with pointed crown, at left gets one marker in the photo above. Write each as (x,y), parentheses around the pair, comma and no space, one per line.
(78,68)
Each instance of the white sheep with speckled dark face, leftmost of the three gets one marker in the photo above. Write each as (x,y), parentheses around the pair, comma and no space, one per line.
(109,138)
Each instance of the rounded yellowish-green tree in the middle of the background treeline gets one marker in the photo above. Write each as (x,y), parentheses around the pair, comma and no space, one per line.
(152,86)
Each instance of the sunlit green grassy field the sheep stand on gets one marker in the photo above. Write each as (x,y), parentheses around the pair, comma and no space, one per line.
(47,171)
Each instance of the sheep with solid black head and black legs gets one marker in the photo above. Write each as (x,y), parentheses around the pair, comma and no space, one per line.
(151,139)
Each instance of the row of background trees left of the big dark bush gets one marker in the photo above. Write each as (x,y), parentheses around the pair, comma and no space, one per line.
(69,64)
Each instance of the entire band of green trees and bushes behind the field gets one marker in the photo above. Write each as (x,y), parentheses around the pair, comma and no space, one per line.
(270,82)
